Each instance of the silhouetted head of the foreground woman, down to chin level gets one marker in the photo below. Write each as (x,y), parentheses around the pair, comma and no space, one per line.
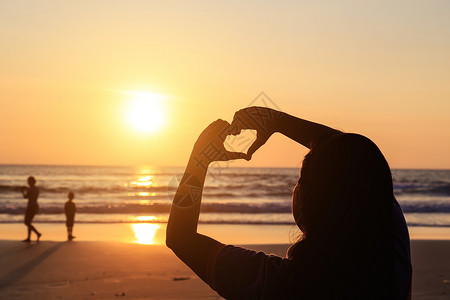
(345,188)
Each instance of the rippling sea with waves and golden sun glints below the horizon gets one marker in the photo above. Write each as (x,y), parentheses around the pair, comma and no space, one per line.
(231,195)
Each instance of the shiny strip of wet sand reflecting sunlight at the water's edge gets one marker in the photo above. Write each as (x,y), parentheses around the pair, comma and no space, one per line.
(154,233)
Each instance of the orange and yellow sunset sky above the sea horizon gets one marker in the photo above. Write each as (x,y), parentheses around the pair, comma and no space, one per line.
(70,73)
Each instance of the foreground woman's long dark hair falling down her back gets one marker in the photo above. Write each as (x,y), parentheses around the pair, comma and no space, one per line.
(343,204)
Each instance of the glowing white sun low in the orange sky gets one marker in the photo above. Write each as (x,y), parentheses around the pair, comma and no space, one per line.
(145,112)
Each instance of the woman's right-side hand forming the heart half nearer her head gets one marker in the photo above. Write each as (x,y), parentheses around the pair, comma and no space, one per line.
(262,119)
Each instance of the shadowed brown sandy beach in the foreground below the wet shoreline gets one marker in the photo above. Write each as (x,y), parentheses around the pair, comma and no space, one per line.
(109,270)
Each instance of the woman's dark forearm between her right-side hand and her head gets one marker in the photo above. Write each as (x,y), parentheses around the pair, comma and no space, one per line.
(302,131)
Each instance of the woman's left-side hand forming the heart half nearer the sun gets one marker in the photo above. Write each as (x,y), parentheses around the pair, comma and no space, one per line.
(209,145)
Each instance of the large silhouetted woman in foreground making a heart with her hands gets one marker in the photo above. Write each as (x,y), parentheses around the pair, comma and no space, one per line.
(354,243)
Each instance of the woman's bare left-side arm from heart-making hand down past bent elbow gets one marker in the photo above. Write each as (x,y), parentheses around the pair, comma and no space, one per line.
(191,247)
